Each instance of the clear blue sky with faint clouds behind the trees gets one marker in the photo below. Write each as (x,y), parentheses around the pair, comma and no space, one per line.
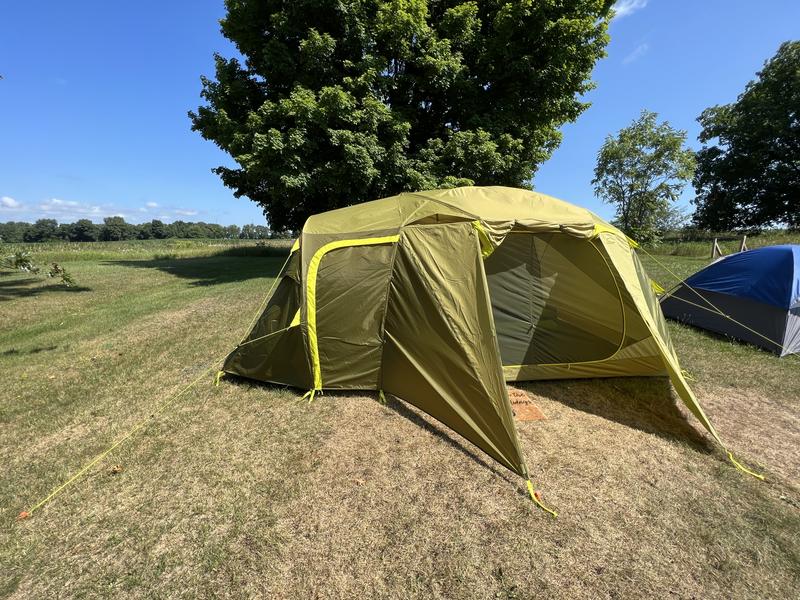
(94,97)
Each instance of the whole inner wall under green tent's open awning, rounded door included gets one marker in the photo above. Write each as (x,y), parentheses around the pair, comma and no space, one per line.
(561,312)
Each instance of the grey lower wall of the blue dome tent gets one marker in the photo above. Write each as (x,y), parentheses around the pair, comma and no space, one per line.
(691,306)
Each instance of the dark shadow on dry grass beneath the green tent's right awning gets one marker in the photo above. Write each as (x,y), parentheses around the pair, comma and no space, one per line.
(644,403)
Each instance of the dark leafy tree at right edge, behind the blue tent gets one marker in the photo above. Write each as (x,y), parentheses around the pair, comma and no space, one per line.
(749,173)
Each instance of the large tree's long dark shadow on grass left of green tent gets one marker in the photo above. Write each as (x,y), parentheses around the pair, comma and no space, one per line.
(225,267)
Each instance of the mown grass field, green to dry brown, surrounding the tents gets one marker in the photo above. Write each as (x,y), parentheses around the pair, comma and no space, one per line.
(244,490)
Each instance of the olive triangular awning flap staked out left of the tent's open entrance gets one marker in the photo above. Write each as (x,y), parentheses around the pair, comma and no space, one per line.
(441,352)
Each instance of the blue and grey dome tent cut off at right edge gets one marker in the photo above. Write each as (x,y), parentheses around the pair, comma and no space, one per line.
(758,290)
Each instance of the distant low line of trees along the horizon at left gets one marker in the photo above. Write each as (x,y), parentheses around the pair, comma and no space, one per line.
(117,229)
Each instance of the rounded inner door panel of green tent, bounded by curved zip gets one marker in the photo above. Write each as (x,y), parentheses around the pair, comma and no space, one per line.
(554,300)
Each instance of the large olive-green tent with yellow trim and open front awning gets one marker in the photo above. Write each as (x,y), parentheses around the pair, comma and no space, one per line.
(441,297)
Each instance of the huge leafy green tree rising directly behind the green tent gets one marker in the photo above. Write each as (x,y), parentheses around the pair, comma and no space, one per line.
(342,101)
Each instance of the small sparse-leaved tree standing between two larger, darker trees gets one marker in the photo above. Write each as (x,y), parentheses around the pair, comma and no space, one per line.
(642,171)
